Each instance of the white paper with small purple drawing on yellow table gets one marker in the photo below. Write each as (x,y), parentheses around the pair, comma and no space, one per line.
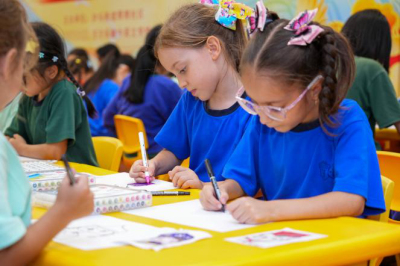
(168,238)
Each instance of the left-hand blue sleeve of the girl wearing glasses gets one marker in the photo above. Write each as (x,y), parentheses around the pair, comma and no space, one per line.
(242,165)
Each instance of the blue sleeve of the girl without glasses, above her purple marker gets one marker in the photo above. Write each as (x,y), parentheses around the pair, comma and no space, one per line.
(174,135)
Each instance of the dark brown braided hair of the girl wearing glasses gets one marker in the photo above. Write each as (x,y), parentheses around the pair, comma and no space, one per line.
(328,55)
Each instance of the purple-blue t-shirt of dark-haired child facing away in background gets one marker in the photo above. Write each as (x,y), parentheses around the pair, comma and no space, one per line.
(161,95)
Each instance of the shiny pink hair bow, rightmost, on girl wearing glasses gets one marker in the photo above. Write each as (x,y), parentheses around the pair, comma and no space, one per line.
(304,33)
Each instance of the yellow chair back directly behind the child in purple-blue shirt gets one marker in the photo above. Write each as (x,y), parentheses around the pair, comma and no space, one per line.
(128,129)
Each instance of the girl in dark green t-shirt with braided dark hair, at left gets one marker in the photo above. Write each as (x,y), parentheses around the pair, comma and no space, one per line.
(51,118)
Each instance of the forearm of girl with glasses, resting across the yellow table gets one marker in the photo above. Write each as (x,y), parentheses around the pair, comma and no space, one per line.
(333,204)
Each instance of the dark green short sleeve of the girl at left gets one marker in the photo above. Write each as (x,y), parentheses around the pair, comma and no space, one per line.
(64,116)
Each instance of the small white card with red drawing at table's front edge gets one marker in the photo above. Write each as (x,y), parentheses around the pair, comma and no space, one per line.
(275,238)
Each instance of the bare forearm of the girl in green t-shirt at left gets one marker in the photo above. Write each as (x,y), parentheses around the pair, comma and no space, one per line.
(43,151)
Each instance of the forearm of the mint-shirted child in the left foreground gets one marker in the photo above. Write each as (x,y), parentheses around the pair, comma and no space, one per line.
(35,239)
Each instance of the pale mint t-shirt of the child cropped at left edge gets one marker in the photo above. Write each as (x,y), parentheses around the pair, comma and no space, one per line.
(15,196)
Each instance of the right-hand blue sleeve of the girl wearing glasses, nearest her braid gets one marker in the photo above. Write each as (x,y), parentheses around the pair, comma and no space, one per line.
(356,166)
